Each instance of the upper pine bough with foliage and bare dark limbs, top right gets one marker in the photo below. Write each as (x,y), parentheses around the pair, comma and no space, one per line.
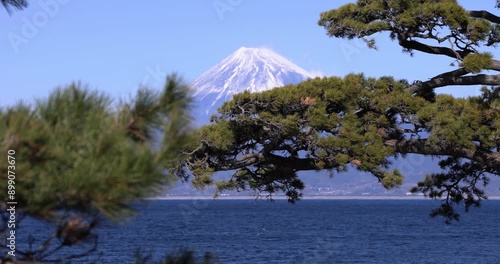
(435,27)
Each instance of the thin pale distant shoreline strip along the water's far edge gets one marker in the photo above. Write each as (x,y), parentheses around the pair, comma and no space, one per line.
(339,197)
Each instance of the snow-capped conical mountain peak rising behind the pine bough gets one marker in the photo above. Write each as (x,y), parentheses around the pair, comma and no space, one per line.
(252,69)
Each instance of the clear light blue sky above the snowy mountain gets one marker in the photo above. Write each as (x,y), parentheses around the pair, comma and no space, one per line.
(115,46)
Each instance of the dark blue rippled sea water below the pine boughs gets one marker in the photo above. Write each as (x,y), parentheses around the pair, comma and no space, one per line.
(311,231)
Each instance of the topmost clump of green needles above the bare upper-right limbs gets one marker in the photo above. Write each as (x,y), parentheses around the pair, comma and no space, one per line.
(406,20)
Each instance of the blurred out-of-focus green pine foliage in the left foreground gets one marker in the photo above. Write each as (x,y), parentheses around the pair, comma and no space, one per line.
(79,155)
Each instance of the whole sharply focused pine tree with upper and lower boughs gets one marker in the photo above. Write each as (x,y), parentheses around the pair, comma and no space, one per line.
(356,121)
